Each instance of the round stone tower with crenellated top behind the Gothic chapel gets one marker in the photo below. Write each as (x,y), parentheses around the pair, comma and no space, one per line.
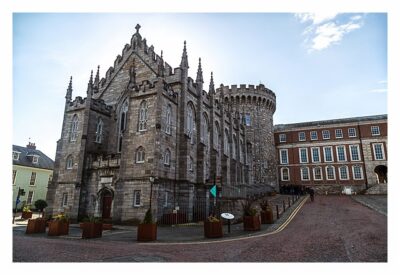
(255,105)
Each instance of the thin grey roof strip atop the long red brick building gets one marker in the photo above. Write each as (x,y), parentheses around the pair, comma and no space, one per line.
(280,127)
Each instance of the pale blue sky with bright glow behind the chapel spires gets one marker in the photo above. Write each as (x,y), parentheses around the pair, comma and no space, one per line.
(320,66)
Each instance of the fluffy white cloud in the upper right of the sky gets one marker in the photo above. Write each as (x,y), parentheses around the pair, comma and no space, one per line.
(324,31)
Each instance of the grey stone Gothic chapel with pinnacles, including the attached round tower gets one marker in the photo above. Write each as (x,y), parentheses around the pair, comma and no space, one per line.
(149,136)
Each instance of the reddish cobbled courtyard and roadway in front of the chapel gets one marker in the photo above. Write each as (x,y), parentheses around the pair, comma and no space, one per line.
(330,229)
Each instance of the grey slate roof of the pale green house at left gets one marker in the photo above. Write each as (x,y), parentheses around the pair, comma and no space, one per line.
(44,162)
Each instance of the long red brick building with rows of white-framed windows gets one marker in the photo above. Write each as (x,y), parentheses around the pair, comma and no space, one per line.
(330,155)
